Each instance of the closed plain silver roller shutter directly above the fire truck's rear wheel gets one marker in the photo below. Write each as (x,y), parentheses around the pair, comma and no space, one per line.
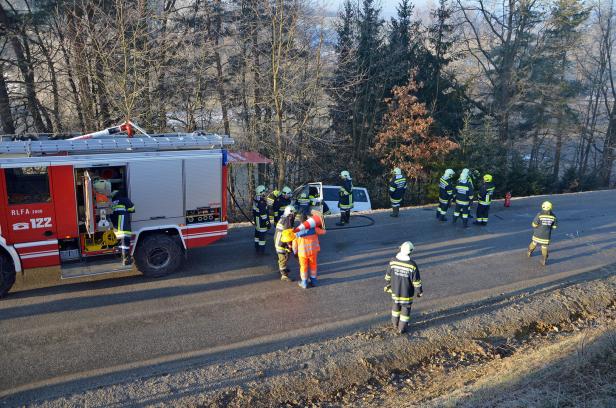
(156,189)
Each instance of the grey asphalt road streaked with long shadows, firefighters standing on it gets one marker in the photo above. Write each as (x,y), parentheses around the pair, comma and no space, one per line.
(229,302)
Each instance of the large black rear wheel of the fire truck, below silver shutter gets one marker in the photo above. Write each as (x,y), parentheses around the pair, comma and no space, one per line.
(158,255)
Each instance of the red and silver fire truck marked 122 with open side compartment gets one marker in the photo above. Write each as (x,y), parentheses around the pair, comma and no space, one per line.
(55,202)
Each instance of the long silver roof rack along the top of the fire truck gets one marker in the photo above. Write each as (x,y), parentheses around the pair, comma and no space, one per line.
(161,142)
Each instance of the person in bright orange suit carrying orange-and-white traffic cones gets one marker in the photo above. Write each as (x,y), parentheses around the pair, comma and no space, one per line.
(306,246)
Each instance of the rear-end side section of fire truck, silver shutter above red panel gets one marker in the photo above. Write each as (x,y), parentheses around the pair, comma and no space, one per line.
(203,201)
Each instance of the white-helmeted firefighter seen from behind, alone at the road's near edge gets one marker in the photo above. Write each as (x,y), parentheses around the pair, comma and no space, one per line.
(402,280)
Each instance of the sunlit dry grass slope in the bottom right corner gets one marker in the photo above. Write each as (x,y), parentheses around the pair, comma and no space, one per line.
(577,372)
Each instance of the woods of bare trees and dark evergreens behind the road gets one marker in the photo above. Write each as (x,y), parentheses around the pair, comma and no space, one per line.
(523,89)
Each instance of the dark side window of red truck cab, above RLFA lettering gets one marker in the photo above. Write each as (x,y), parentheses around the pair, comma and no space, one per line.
(27,185)
